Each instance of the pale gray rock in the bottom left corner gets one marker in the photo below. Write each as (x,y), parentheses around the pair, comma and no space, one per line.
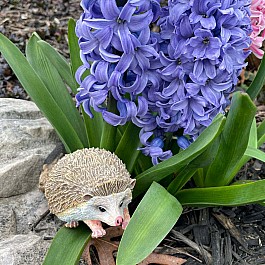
(23,249)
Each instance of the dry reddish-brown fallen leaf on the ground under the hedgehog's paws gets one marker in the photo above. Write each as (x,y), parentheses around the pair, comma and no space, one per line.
(106,247)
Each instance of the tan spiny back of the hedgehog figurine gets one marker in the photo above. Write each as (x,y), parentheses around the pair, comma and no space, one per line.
(93,171)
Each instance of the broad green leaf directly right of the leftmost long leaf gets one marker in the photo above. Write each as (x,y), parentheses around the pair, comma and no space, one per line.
(54,83)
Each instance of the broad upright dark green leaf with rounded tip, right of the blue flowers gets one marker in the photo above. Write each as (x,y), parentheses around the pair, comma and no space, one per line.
(233,141)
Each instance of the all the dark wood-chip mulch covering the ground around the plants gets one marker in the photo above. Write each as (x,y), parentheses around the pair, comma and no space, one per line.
(226,235)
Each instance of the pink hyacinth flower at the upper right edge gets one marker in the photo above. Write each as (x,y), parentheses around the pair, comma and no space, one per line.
(258,25)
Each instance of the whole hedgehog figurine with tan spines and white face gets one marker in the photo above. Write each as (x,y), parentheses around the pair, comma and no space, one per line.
(90,185)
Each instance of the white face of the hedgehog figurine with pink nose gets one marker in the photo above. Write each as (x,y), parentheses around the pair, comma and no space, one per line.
(107,208)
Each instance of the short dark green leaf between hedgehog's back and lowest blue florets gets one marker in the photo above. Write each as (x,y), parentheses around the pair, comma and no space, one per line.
(127,147)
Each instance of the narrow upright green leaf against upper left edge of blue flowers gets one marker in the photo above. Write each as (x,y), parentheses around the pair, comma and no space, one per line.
(74,49)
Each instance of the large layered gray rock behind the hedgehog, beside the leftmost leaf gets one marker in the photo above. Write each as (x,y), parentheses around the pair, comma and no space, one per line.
(26,139)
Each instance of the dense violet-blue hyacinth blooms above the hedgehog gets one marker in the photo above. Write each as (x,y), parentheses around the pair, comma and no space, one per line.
(170,69)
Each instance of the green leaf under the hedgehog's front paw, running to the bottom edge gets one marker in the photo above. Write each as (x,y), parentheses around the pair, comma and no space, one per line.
(68,245)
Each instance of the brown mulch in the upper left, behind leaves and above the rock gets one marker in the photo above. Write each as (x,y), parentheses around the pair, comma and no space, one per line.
(19,19)
